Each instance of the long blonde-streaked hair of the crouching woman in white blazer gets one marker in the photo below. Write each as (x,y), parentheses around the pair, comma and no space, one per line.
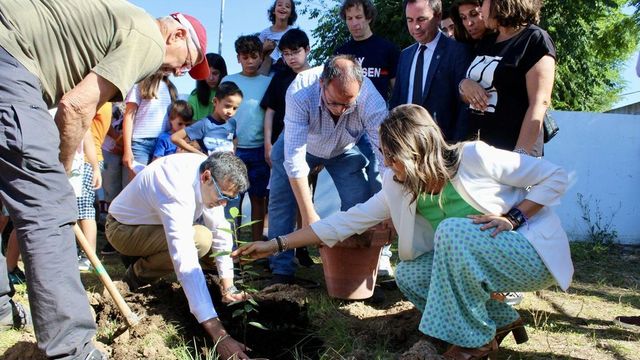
(410,136)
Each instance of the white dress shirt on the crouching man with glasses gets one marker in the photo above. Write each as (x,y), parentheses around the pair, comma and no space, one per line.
(167,193)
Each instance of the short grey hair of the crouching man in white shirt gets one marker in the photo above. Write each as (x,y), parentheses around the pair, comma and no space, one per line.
(224,165)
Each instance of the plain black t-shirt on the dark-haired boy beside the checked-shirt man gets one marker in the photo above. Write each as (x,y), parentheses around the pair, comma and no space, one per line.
(274,98)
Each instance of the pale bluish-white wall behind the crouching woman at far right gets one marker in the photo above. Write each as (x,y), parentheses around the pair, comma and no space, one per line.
(601,153)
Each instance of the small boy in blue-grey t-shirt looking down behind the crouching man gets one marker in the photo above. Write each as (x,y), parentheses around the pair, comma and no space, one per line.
(213,133)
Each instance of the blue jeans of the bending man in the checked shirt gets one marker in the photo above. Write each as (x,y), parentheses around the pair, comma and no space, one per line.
(348,173)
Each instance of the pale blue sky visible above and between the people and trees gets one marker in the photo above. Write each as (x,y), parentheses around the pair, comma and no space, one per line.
(243,17)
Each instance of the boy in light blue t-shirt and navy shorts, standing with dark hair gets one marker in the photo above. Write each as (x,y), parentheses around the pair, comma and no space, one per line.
(249,126)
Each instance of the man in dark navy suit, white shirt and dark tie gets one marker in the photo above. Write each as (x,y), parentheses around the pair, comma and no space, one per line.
(436,62)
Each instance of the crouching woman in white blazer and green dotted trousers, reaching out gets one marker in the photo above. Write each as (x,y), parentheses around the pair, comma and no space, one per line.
(494,230)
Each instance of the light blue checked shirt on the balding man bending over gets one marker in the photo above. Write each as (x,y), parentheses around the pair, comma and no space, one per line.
(309,127)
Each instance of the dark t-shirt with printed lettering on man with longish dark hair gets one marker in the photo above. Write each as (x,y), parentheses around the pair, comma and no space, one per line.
(378,58)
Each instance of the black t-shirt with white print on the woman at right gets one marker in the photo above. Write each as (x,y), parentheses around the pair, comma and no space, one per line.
(501,68)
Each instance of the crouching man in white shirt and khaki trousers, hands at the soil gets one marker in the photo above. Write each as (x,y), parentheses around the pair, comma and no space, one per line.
(154,216)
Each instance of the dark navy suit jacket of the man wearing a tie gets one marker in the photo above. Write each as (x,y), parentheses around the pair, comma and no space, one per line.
(440,96)
